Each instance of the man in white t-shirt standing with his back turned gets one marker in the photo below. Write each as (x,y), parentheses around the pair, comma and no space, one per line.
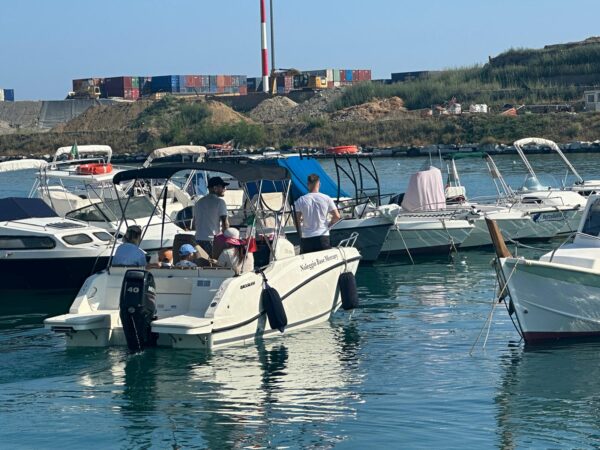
(312,210)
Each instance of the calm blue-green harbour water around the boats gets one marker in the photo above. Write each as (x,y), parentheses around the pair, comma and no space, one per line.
(397,371)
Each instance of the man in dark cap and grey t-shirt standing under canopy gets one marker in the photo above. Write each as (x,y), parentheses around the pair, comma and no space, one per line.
(210,214)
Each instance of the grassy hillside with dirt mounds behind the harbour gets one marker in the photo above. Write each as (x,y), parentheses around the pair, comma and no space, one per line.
(369,114)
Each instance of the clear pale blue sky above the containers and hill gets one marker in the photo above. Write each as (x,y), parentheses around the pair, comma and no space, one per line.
(44,44)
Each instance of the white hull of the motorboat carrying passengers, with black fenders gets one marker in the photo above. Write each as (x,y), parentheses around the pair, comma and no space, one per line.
(208,308)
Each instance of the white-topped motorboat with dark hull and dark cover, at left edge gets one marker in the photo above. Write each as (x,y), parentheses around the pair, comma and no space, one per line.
(40,250)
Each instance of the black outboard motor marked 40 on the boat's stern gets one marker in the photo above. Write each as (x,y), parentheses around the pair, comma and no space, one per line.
(137,309)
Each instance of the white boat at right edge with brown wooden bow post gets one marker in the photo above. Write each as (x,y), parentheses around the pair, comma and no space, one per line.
(557,296)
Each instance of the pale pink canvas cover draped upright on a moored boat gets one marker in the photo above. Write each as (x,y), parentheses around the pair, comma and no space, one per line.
(425,192)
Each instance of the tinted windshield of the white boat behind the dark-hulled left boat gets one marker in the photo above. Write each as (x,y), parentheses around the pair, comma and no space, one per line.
(110,210)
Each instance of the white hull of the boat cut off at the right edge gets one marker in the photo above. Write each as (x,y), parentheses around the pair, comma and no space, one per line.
(553,301)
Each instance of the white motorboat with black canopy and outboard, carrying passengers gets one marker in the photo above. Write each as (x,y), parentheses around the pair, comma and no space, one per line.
(211,307)
